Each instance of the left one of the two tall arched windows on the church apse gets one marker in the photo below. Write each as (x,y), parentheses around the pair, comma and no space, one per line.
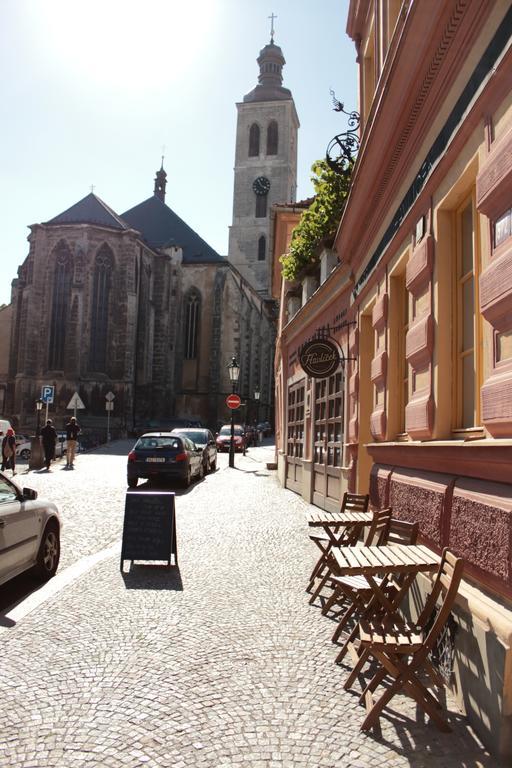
(60,303)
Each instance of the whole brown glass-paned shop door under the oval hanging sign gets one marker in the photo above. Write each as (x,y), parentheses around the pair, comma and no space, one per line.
(328,442)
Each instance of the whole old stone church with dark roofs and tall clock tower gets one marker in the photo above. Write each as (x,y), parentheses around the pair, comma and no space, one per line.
(138,305)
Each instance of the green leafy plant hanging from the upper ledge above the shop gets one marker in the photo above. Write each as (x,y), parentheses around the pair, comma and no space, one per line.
(320,221)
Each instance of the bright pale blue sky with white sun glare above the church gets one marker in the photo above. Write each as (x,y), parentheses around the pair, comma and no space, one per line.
(94,92)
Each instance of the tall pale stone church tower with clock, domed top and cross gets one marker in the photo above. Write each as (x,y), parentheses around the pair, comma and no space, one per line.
(265,167)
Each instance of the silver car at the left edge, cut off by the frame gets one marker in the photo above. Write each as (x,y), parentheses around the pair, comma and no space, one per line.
(29,532)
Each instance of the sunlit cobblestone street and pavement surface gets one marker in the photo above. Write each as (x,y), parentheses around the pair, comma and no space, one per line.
(221,664)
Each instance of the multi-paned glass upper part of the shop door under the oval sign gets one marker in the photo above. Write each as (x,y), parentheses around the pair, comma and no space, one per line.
(328,425)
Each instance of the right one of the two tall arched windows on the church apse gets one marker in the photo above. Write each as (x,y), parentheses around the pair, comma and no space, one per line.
(102,280)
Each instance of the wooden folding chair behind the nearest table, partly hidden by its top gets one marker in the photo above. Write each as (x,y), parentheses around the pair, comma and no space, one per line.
(356,591)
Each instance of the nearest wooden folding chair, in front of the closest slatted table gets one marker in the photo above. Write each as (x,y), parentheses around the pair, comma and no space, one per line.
(402,649)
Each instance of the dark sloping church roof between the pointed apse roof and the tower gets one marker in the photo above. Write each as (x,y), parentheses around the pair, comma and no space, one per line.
(161,228)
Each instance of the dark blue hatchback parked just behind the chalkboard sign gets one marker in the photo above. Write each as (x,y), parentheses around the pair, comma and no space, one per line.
(164,455)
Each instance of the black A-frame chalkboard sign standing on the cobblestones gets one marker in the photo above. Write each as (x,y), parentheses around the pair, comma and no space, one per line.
(149,529)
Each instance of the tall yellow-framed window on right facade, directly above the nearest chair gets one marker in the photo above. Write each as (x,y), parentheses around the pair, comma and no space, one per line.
(466,300)
